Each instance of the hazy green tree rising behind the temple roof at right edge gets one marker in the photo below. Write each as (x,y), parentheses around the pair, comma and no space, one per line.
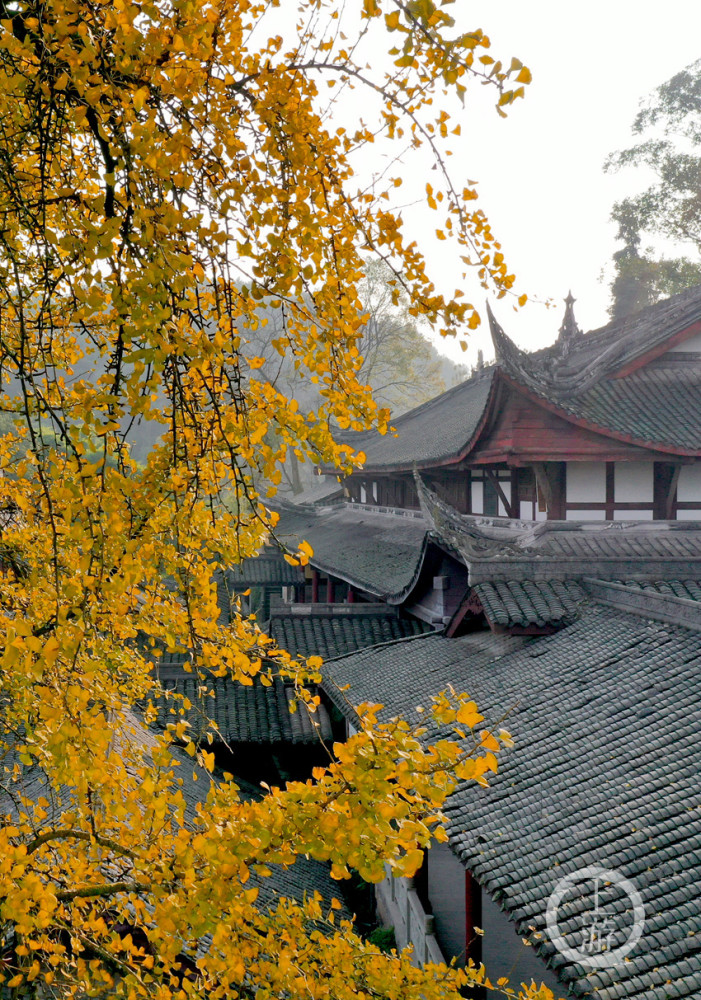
(669,127)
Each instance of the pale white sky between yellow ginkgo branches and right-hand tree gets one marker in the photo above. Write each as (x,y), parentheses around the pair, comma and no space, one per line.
(540,171)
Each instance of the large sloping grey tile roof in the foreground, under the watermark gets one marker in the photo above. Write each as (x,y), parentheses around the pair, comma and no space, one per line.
(606,716)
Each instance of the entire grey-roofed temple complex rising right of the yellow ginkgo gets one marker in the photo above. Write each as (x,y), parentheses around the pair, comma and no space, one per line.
(542,523)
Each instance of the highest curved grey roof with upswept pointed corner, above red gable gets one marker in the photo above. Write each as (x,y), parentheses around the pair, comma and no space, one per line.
(658,405)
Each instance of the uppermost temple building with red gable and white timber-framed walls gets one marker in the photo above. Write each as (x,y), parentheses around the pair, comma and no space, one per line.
(599,426)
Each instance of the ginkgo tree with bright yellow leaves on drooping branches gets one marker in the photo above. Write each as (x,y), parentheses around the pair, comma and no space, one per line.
(170,170)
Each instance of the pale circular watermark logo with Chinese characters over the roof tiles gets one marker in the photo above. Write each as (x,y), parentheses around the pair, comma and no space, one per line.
(605,934)
